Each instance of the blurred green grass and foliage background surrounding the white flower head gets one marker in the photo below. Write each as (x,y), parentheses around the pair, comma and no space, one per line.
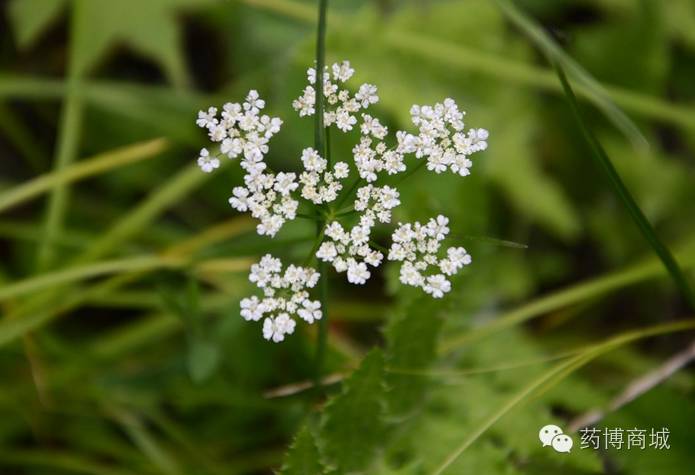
(125,352)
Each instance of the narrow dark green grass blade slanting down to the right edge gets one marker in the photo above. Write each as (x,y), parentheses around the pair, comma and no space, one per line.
(623,194)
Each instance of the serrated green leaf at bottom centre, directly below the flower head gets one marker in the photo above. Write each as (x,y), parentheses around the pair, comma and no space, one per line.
(353,425)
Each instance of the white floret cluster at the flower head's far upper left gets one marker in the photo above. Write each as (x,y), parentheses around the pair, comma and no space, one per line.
(241,129)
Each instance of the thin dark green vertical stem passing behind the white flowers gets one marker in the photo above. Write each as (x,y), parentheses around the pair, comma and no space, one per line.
(320,139)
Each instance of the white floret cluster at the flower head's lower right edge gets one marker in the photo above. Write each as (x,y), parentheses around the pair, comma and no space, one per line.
(418,246)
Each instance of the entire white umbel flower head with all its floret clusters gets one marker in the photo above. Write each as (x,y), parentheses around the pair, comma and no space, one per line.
(440,138)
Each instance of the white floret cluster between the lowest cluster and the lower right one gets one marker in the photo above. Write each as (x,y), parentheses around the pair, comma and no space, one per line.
(350,251)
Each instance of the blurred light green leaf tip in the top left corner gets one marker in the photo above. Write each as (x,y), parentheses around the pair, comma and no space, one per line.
(30,18)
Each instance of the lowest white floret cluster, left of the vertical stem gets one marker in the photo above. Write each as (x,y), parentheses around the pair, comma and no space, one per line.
(284,297)
